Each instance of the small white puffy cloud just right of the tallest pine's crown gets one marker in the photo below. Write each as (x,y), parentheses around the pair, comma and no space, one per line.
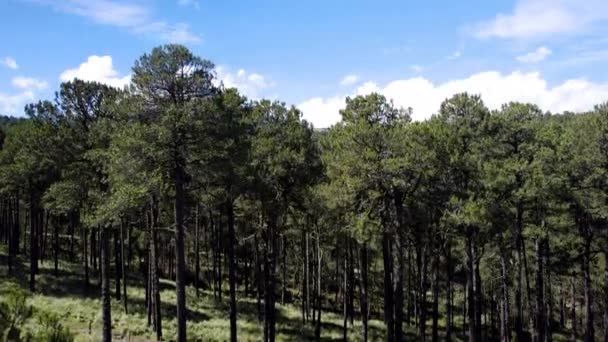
(250,84)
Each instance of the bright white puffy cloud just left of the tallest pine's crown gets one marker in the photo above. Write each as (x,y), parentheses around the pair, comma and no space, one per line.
(99,69)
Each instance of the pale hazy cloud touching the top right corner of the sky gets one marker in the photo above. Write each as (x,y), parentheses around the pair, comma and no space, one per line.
(532,18)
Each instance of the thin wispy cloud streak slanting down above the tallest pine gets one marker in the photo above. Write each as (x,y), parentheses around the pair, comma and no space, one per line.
(129,15)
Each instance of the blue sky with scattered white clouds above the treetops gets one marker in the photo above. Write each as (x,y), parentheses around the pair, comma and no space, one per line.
(315,53)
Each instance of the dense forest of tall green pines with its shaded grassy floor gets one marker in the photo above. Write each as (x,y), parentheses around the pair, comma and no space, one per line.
(177,209)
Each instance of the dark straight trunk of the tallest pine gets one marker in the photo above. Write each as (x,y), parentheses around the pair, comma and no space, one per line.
(180,278)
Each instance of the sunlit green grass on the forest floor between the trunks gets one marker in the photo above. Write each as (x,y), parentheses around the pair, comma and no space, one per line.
(80,311)
